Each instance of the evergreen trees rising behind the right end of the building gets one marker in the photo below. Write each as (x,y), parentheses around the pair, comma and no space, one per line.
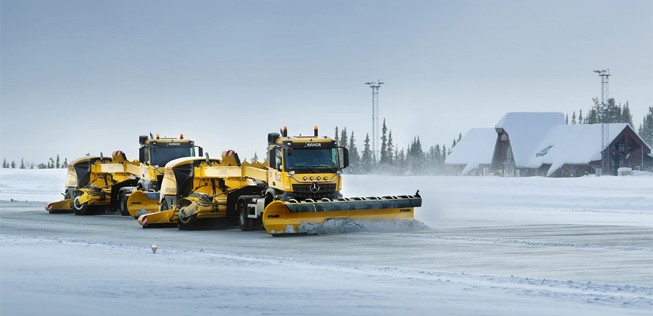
(611,112)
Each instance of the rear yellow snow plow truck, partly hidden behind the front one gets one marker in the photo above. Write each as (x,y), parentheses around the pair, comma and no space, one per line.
(101,182)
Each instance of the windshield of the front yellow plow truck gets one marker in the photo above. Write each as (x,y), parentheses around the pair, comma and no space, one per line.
(312,160)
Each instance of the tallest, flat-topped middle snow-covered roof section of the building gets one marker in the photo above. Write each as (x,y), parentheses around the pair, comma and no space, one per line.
(526,130)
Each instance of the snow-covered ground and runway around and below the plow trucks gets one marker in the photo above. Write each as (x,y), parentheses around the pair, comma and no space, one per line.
(493,246)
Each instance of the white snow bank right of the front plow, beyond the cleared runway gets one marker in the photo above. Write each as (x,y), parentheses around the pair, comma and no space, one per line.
(461,201)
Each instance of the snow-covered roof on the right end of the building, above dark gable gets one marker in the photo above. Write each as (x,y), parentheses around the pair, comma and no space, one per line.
(572,144)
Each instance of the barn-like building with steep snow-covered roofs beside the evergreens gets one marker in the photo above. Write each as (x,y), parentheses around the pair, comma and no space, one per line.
(541,144)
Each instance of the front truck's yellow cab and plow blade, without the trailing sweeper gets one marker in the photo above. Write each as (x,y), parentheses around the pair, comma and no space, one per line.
(304,179)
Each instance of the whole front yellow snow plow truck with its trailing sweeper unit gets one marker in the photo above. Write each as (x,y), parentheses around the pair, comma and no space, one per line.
(297,188)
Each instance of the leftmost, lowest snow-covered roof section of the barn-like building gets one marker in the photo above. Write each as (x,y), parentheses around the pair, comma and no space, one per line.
(475,148)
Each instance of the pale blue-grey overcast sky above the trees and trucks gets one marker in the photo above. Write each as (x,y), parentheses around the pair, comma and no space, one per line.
(84,76)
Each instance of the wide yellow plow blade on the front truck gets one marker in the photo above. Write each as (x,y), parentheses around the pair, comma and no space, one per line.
(287,217)
